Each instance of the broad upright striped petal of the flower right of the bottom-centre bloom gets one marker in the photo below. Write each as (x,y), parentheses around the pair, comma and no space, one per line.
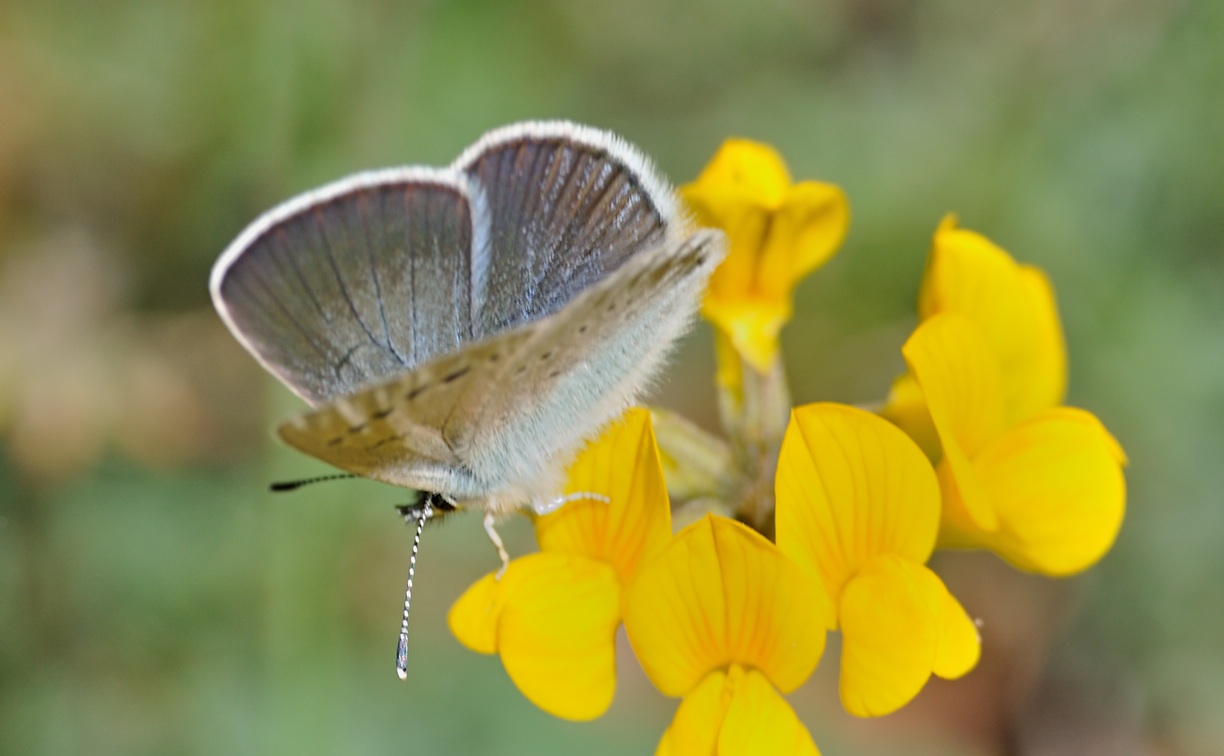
(851,487)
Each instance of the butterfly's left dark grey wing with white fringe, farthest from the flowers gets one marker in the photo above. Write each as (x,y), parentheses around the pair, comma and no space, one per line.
(356,283)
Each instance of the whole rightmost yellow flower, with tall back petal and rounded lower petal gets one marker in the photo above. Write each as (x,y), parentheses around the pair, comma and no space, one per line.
(1039,484)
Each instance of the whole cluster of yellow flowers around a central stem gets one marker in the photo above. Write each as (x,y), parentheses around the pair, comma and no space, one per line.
(813,519)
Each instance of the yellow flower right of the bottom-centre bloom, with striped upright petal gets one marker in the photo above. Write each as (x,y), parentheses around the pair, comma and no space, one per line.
(859,506)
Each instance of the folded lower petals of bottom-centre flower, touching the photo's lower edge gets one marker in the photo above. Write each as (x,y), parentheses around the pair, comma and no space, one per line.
(735,713)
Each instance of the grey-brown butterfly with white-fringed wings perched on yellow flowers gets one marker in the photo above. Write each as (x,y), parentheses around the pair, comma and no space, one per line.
(465,331)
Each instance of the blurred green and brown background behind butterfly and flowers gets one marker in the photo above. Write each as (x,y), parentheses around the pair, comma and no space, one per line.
(155,599)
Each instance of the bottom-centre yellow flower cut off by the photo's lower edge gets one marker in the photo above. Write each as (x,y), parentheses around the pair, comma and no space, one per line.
(725,621)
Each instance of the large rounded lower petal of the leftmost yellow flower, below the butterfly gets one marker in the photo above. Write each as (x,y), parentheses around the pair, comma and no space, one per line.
(558,633)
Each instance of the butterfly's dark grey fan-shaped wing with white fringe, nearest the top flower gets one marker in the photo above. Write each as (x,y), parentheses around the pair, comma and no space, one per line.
(567,207)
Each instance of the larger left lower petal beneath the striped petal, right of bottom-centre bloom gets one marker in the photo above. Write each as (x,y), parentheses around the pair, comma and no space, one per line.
(890,637)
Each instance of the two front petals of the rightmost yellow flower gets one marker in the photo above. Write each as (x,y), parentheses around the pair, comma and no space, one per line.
(1045,492)
